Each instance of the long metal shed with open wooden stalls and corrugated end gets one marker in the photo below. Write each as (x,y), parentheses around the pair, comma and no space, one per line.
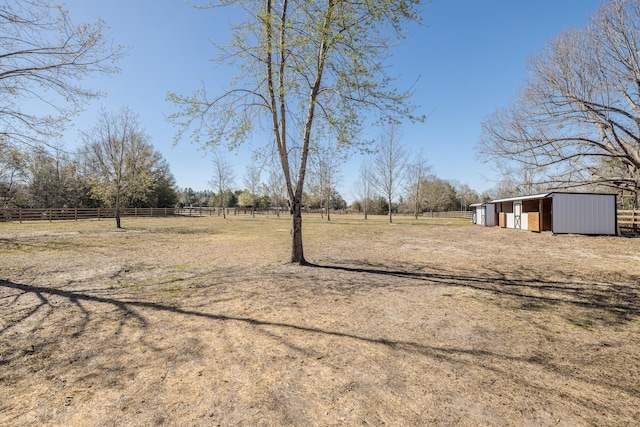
(559,212)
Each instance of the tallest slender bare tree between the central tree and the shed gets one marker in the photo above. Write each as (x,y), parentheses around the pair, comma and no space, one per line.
(389,164)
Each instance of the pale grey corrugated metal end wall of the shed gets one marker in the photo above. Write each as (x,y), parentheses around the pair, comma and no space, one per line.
(584,213)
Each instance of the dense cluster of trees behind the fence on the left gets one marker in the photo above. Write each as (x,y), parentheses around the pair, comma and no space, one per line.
(115,166)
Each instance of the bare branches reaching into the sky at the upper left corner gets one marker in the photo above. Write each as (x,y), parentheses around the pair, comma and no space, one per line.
(43,57)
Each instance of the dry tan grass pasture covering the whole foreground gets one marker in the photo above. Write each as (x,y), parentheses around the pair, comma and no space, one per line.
(201,322)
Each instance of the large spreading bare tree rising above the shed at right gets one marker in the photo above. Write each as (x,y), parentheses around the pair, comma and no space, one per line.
(576,120)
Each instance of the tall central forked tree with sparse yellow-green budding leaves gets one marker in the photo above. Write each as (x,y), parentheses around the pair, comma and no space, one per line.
(304,65)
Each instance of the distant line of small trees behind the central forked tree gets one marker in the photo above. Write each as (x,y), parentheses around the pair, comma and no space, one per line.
(391,181)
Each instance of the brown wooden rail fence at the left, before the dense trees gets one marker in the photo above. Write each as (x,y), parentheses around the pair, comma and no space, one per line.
(56,214)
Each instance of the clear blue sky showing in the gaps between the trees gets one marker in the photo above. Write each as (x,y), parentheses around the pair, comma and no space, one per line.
(470,56)
